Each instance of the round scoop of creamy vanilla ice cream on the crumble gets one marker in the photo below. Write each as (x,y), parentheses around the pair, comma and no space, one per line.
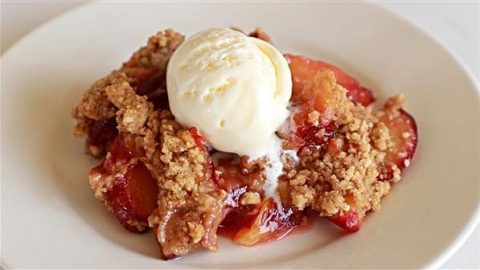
(233,88)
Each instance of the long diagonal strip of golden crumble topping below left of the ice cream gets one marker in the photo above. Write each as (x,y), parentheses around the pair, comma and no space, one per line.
(189,204)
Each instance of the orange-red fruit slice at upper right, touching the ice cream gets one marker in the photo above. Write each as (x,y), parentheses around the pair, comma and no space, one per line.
(304,69)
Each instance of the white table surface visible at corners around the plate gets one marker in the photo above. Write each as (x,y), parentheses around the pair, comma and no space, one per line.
(455,25)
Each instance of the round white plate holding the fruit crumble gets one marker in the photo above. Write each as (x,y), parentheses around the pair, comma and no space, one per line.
(51,219)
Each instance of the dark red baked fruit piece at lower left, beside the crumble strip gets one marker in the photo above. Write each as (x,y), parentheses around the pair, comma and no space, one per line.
(132,194)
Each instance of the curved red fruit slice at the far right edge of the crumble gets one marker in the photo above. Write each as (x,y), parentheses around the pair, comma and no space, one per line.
(403,131)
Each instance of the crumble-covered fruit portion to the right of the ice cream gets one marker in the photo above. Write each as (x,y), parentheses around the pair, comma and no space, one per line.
(333,136)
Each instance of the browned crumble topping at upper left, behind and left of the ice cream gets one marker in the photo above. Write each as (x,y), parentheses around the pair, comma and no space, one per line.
(146,63)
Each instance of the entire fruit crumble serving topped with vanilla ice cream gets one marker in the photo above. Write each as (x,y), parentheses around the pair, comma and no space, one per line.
(221,134)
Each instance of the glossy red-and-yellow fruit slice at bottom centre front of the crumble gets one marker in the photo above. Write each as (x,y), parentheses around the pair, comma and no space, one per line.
(250,225)
